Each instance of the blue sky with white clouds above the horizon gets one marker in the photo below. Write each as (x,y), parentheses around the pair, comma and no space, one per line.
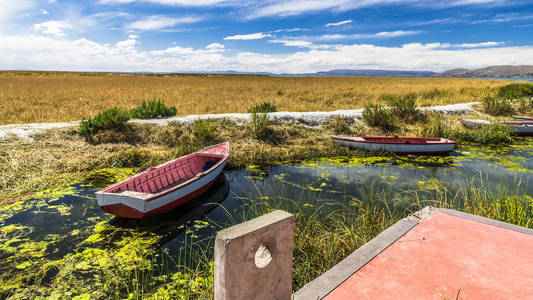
(291,36)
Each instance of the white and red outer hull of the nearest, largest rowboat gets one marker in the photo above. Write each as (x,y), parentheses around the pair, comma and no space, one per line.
(132,207)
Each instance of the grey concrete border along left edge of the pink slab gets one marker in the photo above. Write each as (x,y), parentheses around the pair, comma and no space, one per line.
(327,282)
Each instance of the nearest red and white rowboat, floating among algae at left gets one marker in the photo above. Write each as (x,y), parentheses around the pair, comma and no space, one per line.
(165,187)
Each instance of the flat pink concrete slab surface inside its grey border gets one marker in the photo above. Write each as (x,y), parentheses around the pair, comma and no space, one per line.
(444,255)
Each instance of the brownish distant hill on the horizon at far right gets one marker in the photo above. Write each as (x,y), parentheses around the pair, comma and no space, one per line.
(525,71)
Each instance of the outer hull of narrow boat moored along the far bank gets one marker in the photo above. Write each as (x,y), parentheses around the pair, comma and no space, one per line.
(418,149)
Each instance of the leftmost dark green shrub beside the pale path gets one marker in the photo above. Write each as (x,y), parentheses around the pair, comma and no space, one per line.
(113,118)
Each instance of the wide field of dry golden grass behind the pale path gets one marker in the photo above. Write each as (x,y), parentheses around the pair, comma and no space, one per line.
(56,97)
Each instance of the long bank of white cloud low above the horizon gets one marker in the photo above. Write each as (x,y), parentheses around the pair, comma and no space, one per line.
(52,53)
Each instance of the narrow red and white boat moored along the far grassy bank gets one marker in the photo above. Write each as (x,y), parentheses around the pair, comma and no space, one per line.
(400,145)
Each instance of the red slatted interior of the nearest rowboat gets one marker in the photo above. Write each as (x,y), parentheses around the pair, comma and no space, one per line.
(169,175)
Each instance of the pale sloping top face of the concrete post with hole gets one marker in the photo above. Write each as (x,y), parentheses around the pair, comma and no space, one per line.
(250,226)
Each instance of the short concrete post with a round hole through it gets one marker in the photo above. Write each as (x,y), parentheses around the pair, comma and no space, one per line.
(253,260)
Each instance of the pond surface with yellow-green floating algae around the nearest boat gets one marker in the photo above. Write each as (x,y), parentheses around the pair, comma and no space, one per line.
(59,244)
